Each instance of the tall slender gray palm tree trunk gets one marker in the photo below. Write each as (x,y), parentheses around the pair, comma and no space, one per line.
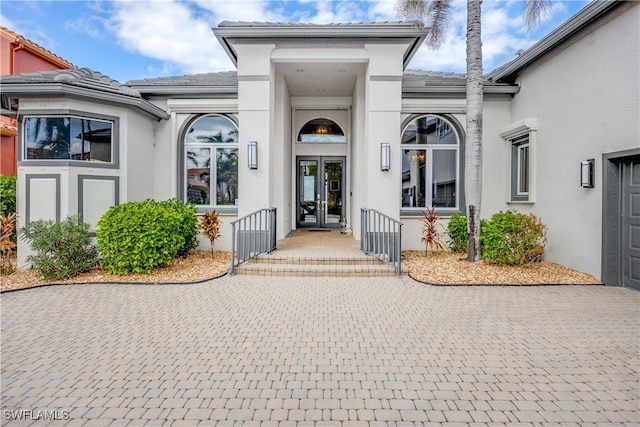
(473,144)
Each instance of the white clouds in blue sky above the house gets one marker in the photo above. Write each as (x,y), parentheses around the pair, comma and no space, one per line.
(177,33)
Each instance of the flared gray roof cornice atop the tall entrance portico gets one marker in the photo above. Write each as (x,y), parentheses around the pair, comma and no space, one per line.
(230,32)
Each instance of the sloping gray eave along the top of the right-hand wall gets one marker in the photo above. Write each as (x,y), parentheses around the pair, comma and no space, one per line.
(558,37)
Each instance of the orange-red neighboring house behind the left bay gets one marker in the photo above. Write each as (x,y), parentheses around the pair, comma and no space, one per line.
(19,55)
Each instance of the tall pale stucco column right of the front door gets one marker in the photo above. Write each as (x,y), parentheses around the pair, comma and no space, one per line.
(384,101)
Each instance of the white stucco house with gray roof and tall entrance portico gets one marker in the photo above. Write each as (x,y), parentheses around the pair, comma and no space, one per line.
(320,121)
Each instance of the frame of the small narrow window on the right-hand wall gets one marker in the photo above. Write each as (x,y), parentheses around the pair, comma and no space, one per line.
(517,136)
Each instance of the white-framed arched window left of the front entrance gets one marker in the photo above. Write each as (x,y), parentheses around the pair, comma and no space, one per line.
(211,159)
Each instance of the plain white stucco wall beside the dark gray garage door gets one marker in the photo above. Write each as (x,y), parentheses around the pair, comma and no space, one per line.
(585,99)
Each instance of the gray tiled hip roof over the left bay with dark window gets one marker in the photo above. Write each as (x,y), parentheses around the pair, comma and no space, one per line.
(77,82)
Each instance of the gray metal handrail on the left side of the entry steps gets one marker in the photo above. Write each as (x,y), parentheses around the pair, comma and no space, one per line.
(252,235)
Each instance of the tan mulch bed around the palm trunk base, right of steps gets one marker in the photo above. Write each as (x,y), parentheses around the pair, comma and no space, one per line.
(449,268)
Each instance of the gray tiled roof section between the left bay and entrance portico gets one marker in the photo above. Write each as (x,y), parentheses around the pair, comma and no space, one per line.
(193,84)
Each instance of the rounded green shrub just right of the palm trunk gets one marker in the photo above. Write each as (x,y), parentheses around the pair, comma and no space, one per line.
(512,238)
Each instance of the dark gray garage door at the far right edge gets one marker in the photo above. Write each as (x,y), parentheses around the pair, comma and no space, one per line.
(631,223)
